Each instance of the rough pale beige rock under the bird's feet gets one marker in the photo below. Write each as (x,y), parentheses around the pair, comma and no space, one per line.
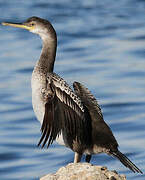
(84,171)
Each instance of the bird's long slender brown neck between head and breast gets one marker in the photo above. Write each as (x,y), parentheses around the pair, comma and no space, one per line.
(47,58)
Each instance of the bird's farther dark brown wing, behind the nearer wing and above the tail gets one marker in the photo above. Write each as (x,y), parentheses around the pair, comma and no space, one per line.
(101,132)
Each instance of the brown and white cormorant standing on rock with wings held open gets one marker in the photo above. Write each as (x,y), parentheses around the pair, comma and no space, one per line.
(72,118)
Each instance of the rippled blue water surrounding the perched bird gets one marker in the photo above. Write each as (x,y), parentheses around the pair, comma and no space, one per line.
(101,44)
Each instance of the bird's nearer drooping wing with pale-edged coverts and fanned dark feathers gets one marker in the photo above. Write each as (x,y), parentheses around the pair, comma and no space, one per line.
(64,112)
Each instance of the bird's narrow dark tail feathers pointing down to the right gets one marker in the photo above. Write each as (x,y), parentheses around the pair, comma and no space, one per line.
(126,162)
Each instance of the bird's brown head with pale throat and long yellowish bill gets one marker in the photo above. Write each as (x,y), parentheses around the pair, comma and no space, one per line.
(36,25)
